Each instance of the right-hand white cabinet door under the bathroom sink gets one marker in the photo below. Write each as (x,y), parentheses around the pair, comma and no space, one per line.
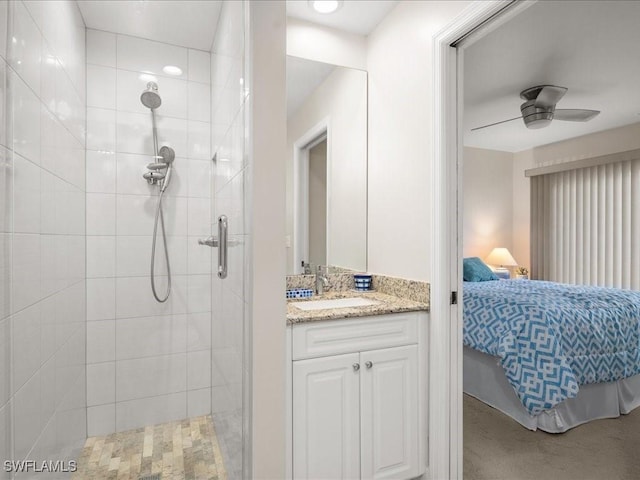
(389,413)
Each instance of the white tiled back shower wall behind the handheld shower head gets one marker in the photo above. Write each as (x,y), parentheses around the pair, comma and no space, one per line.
(147,362)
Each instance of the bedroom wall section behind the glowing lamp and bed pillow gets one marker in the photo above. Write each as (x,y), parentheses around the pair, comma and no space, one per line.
(488,202)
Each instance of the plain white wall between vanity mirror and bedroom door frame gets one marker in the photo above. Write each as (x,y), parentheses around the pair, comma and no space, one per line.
(399,62)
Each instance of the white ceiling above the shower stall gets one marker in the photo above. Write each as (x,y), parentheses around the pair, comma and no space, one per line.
(186,23)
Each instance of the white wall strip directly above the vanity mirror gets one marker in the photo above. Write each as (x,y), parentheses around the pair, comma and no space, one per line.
(325,44)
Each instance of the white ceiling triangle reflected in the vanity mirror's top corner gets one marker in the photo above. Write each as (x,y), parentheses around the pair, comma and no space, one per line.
(303,77)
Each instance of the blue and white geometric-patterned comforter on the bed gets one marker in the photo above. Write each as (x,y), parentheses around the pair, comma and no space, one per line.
(552,337)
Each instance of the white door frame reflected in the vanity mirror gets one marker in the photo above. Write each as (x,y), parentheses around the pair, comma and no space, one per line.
(301,147)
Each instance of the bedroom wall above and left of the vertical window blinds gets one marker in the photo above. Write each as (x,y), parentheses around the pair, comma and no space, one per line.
(602,143)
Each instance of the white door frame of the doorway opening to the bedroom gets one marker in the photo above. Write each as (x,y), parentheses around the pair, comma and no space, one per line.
(445,348)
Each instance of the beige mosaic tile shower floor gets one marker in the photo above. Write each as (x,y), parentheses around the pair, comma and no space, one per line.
(183,449)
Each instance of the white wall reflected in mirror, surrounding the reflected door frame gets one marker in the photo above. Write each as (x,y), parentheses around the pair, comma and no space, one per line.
(341,100)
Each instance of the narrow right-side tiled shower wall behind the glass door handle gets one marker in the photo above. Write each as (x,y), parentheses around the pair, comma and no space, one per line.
(230,174)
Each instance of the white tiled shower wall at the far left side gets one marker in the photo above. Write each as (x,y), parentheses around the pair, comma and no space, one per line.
(42,228)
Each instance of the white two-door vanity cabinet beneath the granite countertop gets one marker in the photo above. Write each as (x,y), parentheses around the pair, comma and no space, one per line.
(355,387)
